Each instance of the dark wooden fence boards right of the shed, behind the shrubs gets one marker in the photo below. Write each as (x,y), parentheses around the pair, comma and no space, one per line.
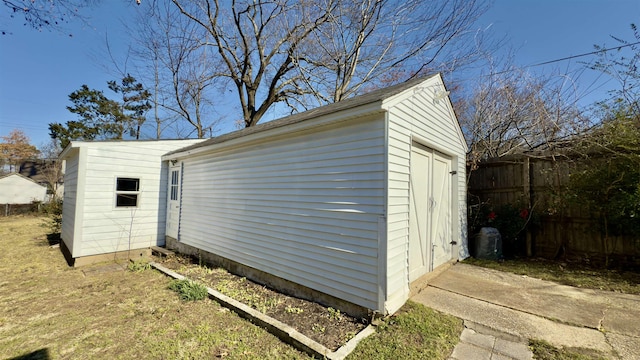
(537,182)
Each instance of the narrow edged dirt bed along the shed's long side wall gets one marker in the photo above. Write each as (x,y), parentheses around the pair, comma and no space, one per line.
(325,325)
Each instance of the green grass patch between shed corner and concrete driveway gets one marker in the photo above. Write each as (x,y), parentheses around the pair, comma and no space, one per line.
(414,332)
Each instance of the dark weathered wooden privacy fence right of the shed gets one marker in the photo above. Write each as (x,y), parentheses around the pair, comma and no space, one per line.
(553,227)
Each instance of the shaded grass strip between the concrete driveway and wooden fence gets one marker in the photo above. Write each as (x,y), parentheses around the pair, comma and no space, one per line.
(572,274)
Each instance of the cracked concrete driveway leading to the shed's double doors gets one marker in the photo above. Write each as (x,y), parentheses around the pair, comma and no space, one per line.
(536,309)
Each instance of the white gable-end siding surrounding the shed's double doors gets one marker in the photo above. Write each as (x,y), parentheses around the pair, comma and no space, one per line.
(432,123)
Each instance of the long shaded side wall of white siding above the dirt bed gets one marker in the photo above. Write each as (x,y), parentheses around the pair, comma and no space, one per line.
(304,207)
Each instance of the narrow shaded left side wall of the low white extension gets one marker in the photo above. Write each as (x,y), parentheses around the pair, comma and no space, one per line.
(69,203)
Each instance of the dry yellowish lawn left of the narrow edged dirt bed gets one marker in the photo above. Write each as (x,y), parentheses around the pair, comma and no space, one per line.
(52,311)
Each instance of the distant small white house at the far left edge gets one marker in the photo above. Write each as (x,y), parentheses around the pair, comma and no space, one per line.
(19,189)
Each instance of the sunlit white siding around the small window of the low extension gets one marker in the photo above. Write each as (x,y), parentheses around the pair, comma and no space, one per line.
(107,228)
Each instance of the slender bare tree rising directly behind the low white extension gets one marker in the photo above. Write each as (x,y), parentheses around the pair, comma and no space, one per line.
(170,52)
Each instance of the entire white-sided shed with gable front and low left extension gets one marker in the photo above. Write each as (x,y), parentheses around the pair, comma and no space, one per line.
(349,203)
